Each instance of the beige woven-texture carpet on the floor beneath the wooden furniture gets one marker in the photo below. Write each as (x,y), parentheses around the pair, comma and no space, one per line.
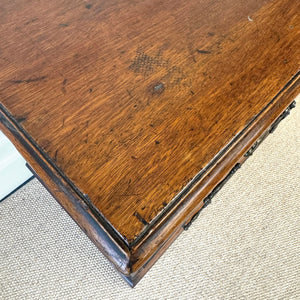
(245,245)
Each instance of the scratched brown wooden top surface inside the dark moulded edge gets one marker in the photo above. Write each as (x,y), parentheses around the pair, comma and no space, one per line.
(132,99)
